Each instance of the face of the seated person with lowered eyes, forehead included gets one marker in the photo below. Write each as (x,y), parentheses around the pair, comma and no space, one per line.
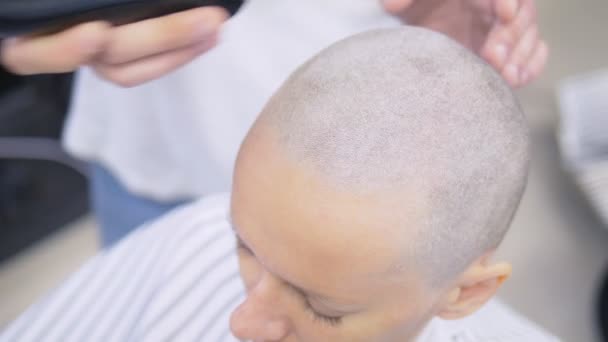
(318,263)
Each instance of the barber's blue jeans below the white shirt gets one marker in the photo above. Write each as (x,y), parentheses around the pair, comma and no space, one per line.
(117,210)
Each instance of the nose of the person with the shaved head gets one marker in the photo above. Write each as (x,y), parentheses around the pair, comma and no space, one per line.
(259,317)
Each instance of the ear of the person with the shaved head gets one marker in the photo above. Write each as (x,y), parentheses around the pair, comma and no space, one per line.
(476,286)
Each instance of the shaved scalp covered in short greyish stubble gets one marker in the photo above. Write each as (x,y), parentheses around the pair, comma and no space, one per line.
(409,110)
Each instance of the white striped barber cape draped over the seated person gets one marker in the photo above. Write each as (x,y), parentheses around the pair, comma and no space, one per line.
(177,280)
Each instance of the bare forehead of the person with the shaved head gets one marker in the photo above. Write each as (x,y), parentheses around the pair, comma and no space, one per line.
(313,235)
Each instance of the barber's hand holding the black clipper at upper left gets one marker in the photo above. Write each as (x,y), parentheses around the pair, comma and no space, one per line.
(127,55)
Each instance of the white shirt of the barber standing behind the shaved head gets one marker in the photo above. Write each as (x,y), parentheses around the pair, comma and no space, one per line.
(178,136)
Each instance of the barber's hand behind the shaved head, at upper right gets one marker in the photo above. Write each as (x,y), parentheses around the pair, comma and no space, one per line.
(503,32)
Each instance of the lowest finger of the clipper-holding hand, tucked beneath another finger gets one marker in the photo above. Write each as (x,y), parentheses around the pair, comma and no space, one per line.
(147,69)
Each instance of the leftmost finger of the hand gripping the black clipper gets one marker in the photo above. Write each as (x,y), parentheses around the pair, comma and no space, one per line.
(56,53)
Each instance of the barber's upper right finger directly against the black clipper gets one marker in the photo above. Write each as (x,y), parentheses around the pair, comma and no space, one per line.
(164,34)
